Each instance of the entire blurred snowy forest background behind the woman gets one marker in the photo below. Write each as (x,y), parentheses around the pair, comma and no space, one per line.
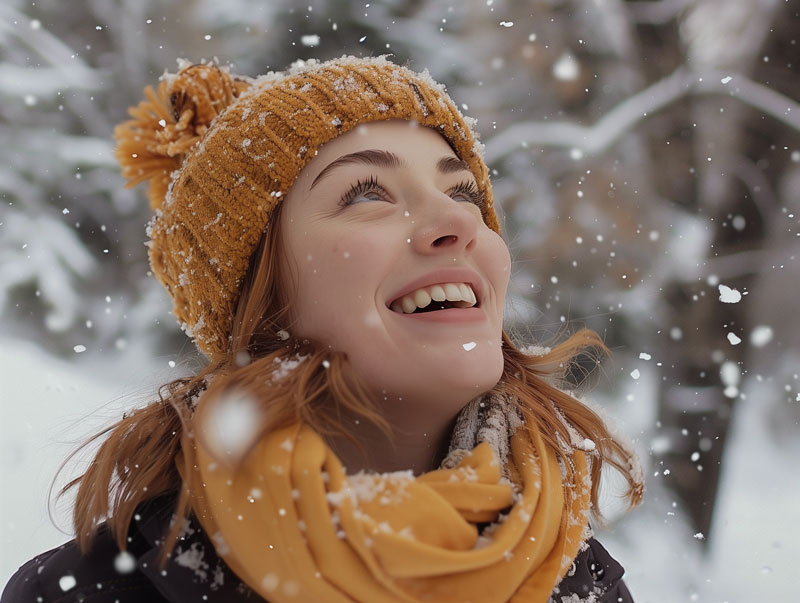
(646,161)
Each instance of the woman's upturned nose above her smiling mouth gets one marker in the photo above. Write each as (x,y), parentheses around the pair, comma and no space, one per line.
(444,226)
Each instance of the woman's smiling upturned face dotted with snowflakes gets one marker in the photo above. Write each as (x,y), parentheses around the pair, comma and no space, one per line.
(383,220)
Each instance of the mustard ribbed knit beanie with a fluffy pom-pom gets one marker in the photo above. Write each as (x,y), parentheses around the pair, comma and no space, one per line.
(220,151)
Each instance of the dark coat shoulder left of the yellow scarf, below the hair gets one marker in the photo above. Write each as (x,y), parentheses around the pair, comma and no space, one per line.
(191,572)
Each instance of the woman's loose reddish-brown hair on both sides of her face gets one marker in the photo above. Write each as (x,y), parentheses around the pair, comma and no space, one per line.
(139,459)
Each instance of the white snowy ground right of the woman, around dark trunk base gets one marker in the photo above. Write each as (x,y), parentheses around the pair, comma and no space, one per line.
(755,540)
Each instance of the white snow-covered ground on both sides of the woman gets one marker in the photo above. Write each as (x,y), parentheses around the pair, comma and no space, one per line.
(49,405)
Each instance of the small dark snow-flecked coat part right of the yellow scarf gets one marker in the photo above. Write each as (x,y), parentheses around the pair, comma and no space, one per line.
(595,577)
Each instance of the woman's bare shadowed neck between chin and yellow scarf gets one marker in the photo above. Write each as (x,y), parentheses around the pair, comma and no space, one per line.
(416,445)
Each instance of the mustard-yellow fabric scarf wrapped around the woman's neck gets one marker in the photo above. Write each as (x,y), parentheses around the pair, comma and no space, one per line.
(295,527)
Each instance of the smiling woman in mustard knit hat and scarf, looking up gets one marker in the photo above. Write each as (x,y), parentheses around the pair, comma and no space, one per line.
(364,429)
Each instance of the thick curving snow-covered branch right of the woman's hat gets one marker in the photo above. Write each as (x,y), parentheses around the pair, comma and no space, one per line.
(627,114)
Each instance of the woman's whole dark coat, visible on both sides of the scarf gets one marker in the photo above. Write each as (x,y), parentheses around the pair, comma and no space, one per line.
(194,572)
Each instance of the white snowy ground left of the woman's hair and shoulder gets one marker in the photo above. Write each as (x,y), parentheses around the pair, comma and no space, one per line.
(47,407)
